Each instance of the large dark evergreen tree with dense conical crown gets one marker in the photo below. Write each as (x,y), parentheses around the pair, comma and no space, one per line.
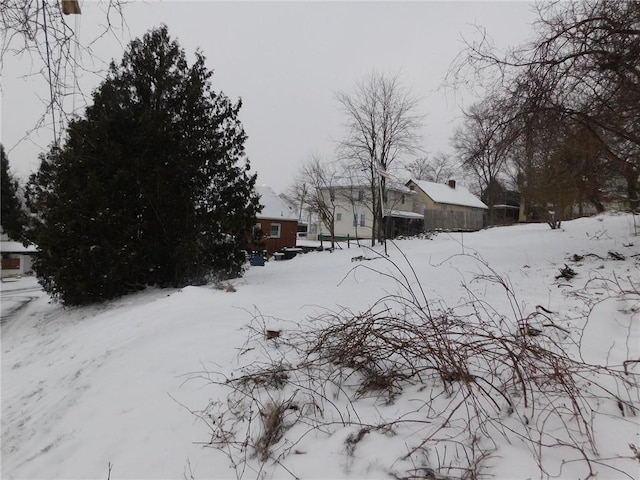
(152,185)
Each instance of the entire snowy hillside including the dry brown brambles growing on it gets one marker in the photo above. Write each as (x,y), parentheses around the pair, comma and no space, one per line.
(147,386)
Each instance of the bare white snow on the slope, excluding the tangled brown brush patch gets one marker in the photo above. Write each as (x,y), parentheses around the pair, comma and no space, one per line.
(118,390)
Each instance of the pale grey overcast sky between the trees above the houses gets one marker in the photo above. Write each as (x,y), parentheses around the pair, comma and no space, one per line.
(286,61)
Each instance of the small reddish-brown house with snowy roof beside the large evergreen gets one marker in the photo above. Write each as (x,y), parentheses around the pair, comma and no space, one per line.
(277,225)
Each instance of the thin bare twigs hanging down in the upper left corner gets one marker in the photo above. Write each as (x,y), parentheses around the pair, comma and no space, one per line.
(42,30)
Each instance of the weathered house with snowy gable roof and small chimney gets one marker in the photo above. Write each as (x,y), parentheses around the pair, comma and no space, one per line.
(449,206)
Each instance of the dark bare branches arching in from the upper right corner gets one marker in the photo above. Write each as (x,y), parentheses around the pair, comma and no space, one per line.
(584,66)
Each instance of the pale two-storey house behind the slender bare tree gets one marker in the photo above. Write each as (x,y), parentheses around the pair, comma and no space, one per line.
(352,208)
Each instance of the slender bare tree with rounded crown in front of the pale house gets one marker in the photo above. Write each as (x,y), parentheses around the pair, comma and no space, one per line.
(382,125)
